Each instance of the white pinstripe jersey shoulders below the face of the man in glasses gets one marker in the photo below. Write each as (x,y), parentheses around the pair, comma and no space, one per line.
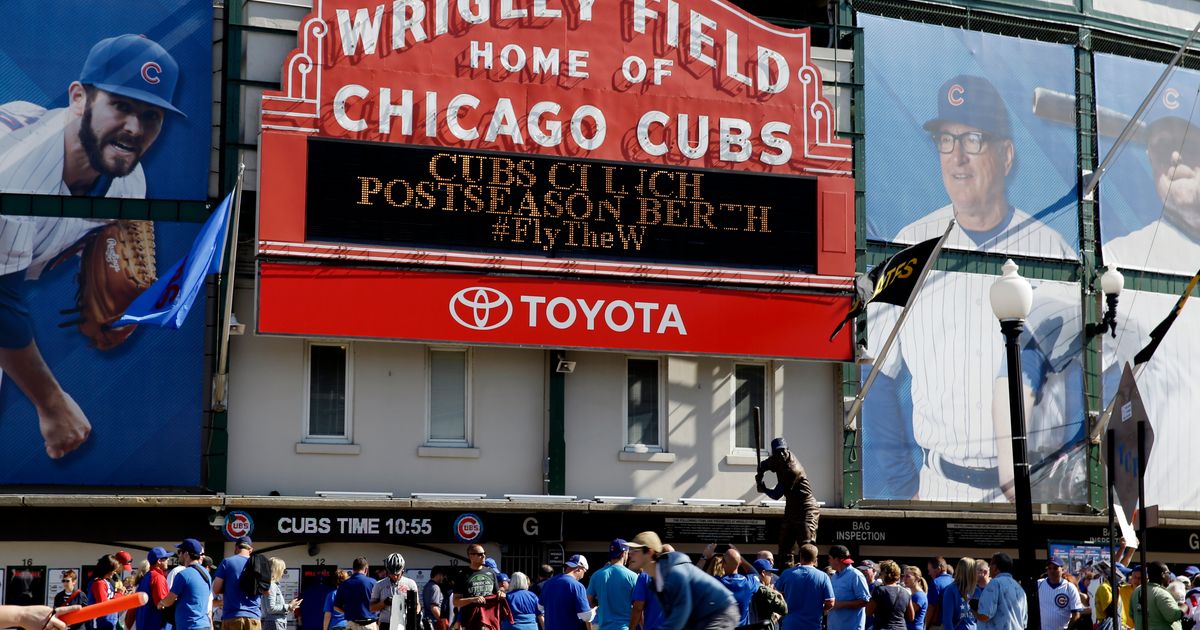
(1022,235)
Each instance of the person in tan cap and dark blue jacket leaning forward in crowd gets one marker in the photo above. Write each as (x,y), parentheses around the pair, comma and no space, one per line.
(691,598)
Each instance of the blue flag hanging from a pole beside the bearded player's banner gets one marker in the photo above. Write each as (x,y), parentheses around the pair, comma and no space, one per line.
(169,301)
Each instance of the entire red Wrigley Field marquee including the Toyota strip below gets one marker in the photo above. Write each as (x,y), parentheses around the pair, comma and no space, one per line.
(644,101)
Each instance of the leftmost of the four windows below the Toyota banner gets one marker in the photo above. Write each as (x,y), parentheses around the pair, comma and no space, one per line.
(328,385)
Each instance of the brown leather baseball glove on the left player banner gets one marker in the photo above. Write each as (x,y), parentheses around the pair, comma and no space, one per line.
(117,266)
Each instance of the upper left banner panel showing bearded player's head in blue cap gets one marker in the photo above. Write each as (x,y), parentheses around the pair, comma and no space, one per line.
(106,99)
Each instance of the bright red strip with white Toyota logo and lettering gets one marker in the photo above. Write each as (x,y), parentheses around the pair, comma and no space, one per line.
(393,304)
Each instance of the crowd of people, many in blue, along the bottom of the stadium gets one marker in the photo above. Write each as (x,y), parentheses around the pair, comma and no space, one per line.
(644,585)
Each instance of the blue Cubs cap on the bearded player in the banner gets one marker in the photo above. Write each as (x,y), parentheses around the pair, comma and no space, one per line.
(134,67)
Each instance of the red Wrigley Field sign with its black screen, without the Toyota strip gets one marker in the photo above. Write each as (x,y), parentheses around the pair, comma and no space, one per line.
(698,135)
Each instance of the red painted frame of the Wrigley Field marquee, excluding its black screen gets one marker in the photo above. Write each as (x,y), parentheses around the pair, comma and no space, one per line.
(697,85)
